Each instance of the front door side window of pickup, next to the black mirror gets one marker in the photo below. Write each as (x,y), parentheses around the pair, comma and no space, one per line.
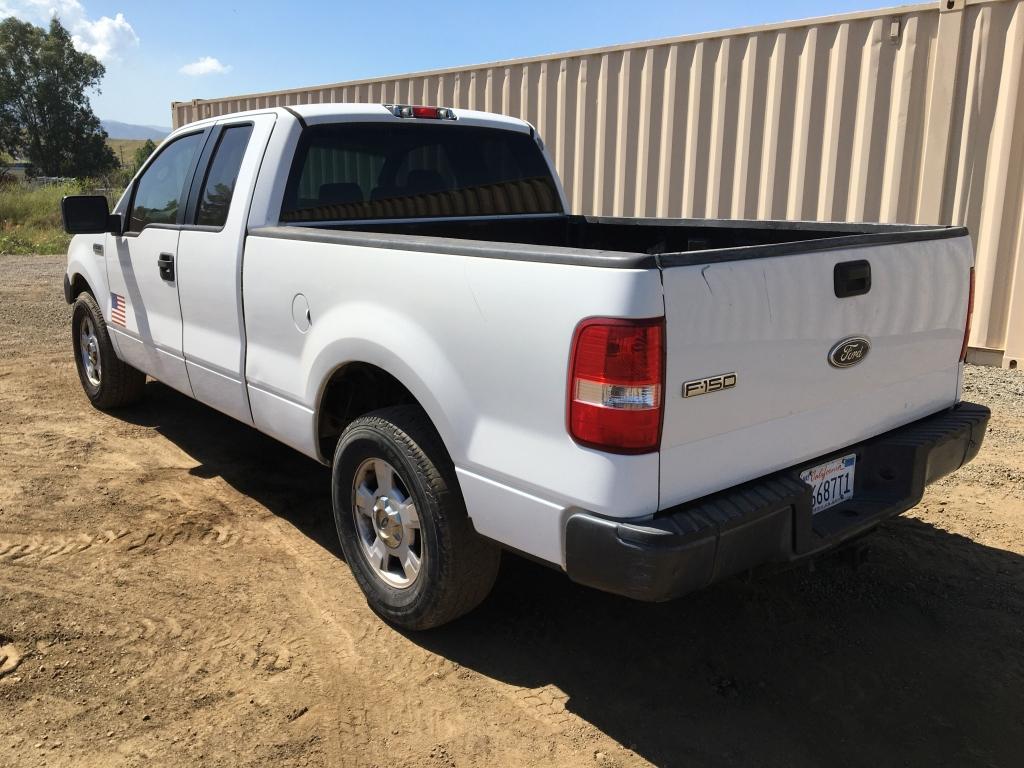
(160,193)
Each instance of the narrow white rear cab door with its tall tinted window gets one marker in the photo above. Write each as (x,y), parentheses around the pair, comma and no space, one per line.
(210,253)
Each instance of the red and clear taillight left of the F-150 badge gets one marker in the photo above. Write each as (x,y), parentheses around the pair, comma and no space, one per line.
(616,385)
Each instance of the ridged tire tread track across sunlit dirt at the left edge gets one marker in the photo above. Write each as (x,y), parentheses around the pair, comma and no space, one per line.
(41,550)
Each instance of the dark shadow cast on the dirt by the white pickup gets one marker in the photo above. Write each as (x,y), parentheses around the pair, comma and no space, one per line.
(916,658)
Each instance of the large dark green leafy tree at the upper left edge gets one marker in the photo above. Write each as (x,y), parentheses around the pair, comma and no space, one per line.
(45,111)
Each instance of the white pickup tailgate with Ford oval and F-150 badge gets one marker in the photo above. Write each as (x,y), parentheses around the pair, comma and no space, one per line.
(773,321)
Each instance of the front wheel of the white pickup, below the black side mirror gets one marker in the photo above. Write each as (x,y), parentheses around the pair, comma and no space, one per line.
(108,382)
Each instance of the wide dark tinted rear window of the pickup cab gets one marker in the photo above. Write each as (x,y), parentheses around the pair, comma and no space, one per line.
(359,172)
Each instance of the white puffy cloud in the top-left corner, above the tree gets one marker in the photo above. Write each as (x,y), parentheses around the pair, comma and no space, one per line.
(105,38)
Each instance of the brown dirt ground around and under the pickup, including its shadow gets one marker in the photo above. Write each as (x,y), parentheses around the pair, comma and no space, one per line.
(173,593)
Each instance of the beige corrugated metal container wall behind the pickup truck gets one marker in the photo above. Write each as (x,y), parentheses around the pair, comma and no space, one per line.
(913,114)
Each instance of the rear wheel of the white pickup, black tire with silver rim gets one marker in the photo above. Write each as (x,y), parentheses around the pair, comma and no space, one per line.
(457,567)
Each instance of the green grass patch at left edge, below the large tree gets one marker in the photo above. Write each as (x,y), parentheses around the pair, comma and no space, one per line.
(30,219)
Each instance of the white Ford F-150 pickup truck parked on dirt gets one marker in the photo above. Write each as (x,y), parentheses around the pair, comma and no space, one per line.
(650,405)
